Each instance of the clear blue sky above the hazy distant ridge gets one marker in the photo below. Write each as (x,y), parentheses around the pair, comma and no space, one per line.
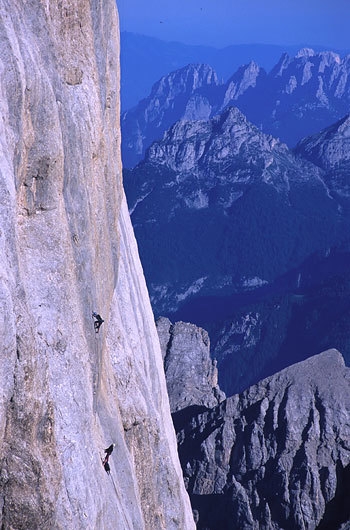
(223,22)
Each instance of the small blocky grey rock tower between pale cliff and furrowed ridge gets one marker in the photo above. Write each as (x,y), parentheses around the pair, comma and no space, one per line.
(191,375)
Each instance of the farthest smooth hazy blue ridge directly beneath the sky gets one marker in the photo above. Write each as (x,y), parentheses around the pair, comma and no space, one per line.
(146,59)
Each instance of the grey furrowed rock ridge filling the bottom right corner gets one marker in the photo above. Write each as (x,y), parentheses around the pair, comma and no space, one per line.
(276,456)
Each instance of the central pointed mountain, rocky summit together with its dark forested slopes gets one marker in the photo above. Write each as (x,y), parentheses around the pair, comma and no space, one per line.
(213,173)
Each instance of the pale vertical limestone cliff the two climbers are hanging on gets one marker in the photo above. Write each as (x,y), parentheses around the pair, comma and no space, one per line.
(67,248)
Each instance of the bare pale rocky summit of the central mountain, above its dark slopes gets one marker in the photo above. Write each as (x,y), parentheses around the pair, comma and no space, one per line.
(226,137)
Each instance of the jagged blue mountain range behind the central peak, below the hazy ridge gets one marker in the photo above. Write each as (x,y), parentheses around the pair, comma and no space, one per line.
(299,96)
